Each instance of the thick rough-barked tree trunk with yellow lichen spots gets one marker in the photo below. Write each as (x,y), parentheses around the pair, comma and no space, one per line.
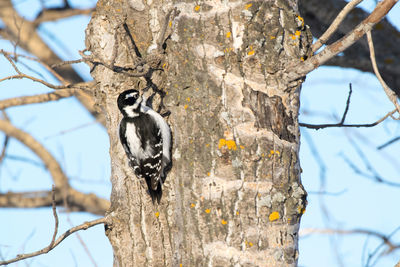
(233,196)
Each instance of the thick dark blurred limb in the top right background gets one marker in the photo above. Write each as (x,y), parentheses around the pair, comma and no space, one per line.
(320,14)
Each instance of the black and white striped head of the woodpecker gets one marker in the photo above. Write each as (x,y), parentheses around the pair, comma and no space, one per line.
(129,103)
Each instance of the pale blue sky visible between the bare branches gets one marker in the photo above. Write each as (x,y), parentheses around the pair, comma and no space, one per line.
(81,146)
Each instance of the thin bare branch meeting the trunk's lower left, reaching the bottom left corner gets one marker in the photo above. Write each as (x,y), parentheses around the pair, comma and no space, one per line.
(84,226)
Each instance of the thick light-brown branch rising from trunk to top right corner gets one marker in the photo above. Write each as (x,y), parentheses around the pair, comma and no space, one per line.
(302,68)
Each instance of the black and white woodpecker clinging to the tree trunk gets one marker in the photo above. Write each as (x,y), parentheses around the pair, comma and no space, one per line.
(146,138)
